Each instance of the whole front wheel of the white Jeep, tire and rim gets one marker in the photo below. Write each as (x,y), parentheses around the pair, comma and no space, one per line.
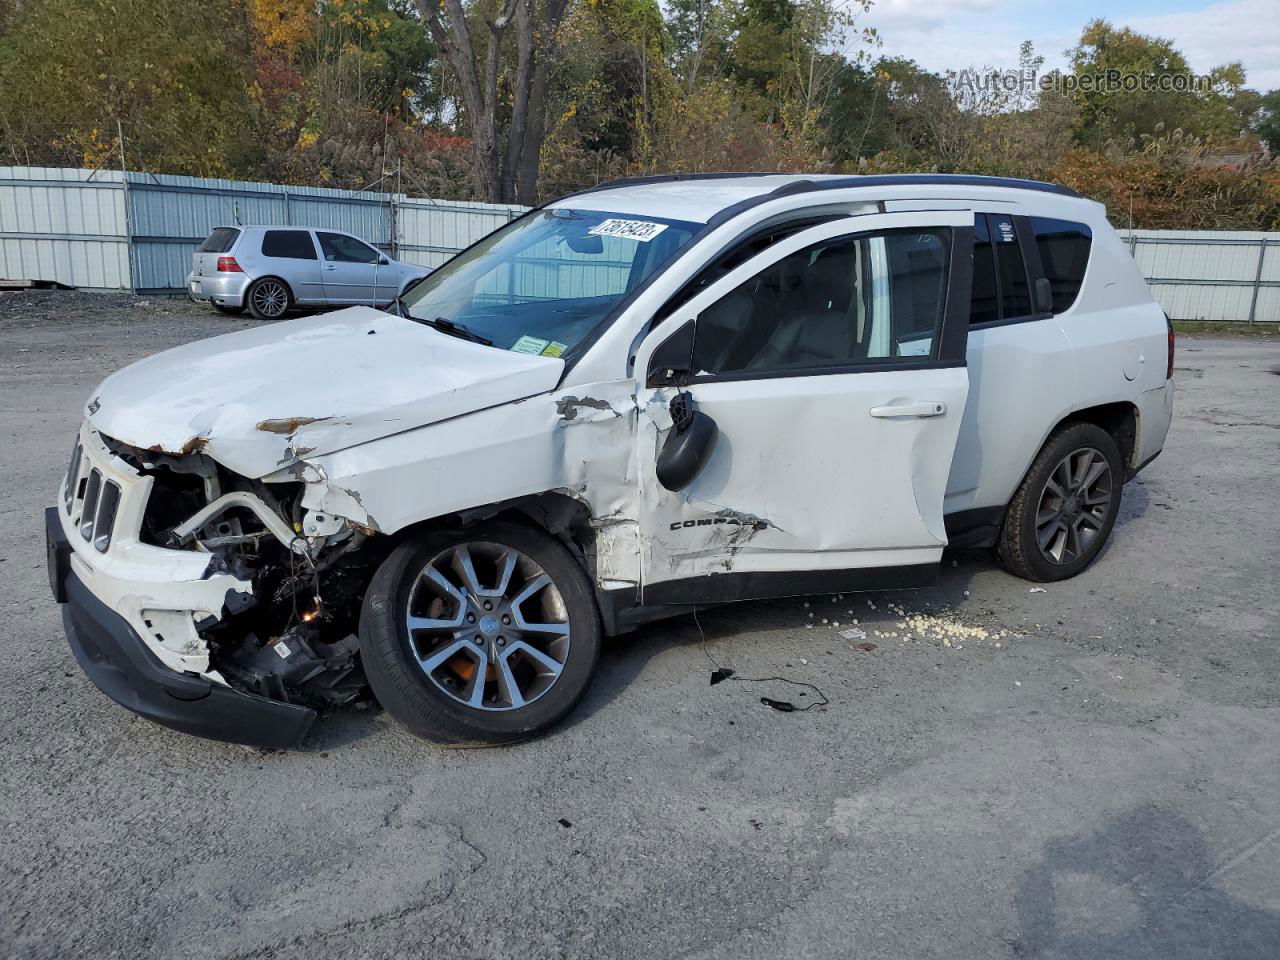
(486,636)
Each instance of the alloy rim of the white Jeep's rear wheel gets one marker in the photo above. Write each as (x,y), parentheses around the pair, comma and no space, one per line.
(1075,505)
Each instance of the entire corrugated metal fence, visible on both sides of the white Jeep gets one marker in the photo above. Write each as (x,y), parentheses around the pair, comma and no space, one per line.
(109,231)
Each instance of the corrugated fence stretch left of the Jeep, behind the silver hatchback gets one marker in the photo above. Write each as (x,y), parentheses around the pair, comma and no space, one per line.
(109,231)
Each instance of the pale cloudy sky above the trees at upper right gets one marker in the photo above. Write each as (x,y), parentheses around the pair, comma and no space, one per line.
(944,35)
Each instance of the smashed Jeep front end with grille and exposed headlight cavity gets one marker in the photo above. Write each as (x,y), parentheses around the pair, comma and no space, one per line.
(222,578)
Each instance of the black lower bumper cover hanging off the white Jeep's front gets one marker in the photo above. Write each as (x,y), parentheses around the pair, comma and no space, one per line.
(117,660)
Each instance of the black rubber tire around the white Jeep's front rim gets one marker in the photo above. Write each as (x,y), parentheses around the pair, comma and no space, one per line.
(418,701)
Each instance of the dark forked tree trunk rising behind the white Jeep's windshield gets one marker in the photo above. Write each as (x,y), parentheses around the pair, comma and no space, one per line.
(510,175)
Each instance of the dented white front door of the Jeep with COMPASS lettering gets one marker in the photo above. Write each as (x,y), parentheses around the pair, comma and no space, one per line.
(834,369)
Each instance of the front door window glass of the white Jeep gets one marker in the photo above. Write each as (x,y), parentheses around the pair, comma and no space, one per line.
(849,300)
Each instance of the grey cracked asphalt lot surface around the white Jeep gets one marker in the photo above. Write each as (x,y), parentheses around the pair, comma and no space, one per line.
(1089,772)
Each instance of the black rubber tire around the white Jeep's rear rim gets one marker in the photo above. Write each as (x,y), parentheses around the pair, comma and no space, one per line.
(1020,546)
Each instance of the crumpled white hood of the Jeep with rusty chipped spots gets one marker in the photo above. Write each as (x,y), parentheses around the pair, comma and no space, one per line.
(262,399)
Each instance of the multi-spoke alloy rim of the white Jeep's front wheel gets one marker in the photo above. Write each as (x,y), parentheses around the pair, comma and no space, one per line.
(488,627)
